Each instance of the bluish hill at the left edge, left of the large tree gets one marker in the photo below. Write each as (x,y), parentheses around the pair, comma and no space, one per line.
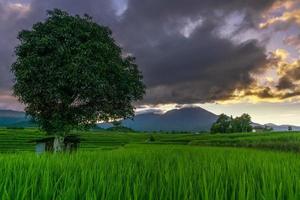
(13,118)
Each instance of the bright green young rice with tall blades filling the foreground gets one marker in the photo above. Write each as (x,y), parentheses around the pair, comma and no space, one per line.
(152,172)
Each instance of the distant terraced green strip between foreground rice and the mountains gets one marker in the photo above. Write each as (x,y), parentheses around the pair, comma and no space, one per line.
(19,140)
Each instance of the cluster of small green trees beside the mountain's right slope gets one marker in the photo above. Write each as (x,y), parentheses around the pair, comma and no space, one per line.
(228,124)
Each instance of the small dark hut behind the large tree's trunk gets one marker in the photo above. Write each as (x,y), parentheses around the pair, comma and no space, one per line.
(71,143)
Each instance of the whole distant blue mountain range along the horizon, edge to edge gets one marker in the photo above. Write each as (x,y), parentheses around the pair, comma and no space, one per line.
(184,119)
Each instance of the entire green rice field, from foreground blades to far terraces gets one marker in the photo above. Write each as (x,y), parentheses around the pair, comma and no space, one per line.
(111,165)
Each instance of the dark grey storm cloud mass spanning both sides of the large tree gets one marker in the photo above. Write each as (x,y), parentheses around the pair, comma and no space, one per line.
(177,69)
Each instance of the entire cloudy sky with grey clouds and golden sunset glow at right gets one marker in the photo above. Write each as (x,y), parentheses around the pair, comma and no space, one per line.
(227,56)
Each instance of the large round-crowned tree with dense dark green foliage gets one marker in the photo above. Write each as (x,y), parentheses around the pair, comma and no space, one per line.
(70,73)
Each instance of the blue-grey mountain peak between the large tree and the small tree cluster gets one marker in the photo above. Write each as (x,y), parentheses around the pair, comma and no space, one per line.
(184,119)
